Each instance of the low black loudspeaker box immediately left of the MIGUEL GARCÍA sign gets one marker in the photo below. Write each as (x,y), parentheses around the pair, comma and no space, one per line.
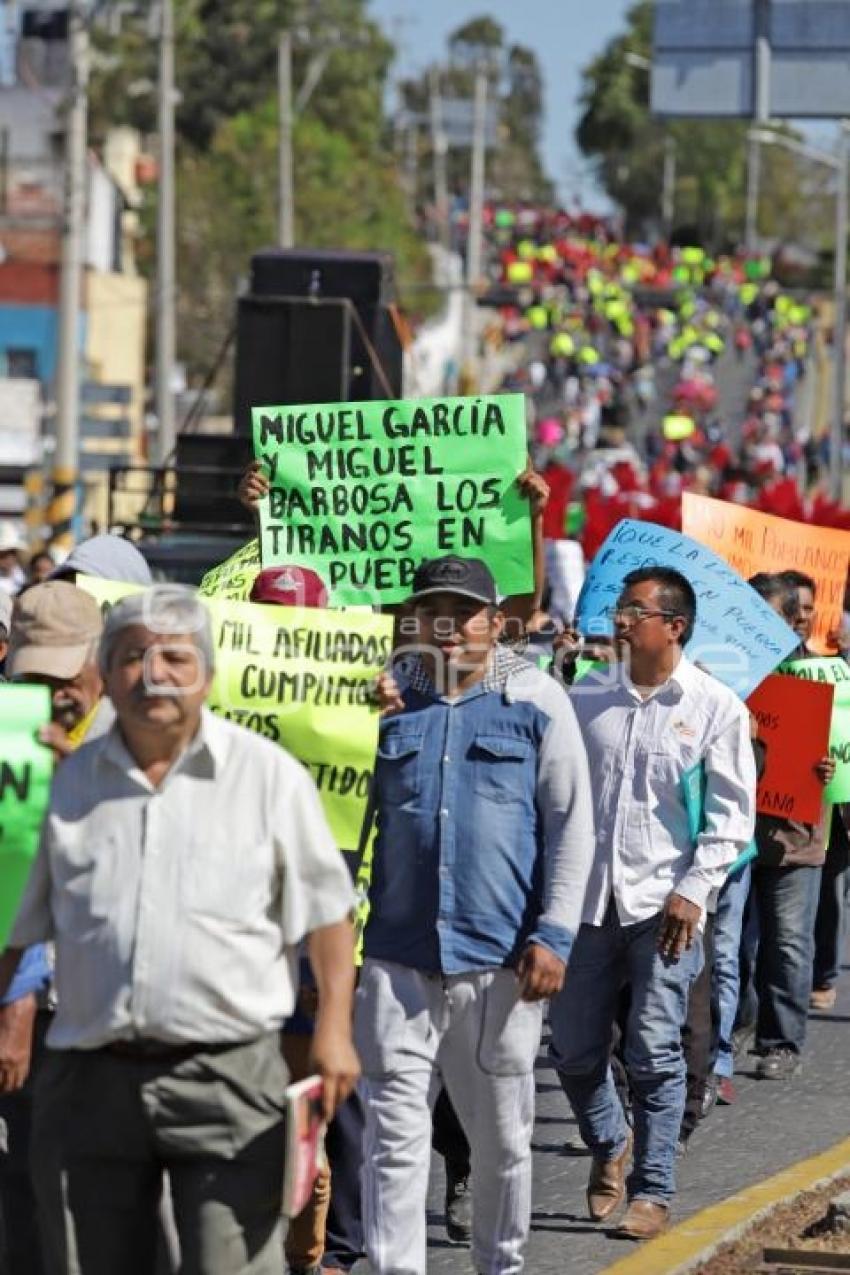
(210,467)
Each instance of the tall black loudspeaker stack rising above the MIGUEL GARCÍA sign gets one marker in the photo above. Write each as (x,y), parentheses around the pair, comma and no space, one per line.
(299,341)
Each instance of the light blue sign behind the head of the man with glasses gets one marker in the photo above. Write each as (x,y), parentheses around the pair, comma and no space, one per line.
(737,638)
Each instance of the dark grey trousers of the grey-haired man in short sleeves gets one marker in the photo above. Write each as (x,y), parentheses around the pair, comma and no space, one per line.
(105,1132)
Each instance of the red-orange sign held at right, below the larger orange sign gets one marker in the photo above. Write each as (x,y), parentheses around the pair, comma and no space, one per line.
(796,731)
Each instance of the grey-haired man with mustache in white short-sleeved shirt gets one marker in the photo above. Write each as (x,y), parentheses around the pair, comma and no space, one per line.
(182,863)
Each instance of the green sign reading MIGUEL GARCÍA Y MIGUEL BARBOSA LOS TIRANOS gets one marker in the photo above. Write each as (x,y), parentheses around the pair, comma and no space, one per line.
(363,493)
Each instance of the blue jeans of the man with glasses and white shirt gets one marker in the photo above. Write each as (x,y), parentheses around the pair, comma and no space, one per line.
(605,959)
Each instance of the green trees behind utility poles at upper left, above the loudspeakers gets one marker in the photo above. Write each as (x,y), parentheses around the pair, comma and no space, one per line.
(349,193)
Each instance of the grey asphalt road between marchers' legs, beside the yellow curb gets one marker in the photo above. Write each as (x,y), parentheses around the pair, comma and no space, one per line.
(772,1126)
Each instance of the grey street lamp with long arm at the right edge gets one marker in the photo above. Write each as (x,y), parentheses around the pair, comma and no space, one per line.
(839,164)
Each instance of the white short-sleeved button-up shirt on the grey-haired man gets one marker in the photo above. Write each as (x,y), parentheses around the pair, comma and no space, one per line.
(176,910)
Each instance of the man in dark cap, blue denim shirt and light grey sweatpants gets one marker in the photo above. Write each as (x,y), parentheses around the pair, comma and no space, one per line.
(485,840)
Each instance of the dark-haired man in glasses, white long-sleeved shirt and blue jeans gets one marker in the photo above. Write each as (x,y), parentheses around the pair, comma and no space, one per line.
(647,722)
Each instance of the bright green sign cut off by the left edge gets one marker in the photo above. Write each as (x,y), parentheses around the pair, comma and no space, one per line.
(26,771)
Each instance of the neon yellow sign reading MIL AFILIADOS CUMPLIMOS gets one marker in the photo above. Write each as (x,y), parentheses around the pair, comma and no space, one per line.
(303,679)
